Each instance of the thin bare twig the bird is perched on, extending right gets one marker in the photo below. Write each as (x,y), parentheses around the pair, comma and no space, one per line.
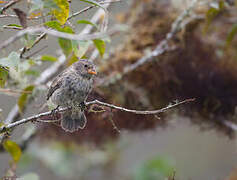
(46,114)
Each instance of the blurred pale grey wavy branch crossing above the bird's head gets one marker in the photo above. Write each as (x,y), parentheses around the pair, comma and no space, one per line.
(79,37)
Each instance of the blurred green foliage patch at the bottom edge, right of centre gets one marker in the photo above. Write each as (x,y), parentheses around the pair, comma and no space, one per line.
(157,168)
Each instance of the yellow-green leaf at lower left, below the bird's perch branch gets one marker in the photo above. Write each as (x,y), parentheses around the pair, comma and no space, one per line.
(13,149)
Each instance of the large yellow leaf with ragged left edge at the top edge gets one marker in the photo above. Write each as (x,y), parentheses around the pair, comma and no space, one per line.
(63,12)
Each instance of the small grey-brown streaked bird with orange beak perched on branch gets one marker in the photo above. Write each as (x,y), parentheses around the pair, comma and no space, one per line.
(70,89)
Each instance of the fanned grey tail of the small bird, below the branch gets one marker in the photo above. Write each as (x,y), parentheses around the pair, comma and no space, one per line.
(73,120)
